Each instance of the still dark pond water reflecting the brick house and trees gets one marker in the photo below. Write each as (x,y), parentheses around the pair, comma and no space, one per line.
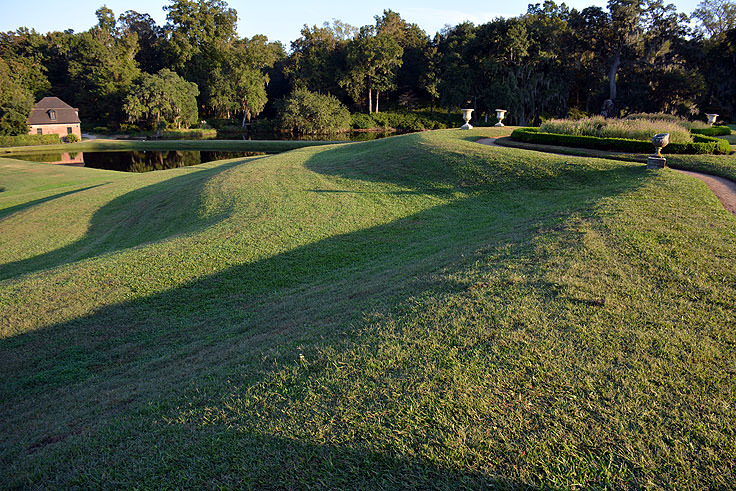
(137,161)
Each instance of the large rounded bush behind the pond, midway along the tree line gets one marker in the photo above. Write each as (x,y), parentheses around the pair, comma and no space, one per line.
(306,113)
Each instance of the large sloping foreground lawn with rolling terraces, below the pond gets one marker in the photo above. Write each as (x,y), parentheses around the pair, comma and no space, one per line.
(418,311)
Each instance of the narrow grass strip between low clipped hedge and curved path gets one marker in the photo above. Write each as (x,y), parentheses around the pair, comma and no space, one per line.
(718,165)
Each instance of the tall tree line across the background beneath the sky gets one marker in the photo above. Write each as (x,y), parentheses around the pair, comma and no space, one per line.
(643,55)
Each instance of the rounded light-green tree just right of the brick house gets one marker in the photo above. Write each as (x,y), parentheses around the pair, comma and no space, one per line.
(163,98)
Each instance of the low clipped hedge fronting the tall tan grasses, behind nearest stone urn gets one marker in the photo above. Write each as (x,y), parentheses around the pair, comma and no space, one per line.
(700,145)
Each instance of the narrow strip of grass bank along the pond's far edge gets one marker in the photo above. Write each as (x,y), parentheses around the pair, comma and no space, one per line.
(268,146)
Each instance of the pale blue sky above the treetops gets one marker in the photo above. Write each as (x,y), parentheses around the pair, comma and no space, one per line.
(280,20)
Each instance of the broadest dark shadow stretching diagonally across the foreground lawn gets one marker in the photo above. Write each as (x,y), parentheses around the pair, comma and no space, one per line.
(112,379)
